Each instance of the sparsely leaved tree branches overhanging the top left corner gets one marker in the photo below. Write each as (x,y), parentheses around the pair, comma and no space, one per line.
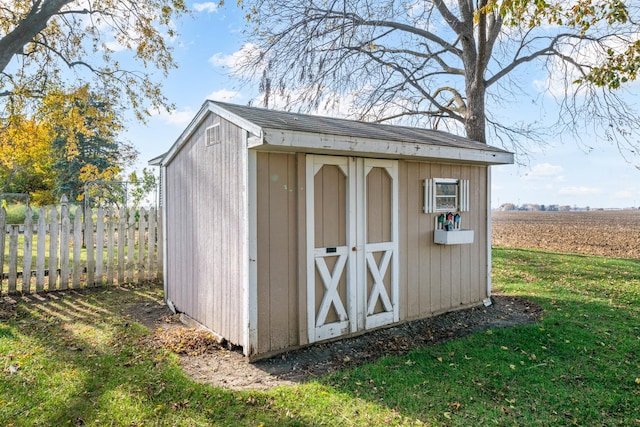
(44,36)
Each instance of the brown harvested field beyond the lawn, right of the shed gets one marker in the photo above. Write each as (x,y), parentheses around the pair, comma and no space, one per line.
(613,233)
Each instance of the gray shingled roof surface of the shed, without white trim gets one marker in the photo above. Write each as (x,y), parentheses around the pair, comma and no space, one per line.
(273,119)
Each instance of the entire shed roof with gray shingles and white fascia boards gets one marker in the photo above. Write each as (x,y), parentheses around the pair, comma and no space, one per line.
(286,131)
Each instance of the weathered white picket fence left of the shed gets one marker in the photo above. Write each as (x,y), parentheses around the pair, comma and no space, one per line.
(60,251)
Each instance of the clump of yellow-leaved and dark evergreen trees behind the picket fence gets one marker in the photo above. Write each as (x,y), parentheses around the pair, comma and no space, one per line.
(70,141)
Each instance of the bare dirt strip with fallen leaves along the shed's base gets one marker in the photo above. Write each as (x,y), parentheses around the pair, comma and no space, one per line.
(209,362)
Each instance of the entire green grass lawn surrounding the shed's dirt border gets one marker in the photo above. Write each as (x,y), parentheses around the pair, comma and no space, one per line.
(580,365)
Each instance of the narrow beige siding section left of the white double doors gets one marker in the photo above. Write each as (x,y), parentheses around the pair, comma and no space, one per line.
(277,226)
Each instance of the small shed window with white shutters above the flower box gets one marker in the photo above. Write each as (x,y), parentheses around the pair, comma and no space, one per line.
(446,195)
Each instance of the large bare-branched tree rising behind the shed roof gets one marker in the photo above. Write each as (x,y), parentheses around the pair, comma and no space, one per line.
(439,62)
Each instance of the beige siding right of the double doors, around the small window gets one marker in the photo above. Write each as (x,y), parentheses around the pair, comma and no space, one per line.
(437,278)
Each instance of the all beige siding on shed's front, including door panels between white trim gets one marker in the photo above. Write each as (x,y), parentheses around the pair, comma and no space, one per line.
(433,278)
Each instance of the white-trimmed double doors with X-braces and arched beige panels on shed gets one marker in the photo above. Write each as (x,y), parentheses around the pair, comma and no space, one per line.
(352,244)
